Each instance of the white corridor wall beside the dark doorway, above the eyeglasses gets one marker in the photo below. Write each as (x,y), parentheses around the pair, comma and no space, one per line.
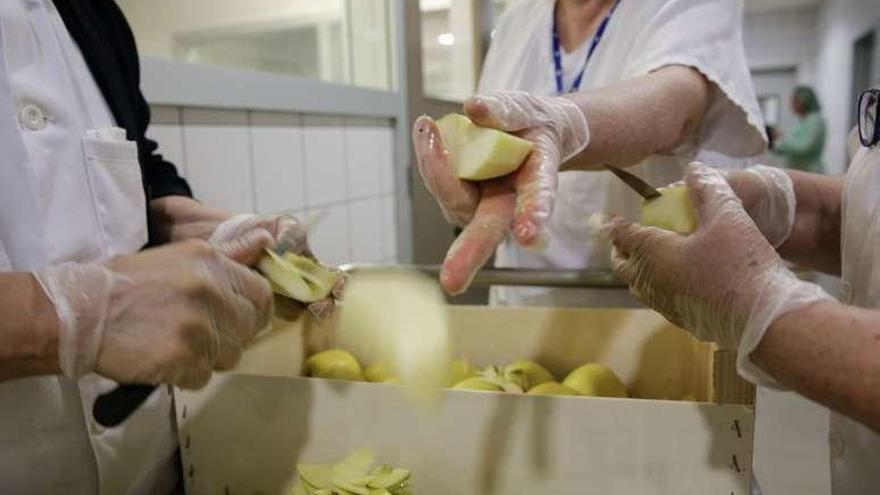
(841,23)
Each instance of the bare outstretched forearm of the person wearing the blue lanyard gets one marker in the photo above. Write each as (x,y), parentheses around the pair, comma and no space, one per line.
(640,117)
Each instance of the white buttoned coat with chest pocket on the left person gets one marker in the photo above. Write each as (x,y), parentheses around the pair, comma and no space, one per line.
(70,190)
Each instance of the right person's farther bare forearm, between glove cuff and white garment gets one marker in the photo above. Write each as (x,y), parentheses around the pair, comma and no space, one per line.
(815,237)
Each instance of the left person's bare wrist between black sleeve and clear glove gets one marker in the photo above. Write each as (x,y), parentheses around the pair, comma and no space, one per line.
(176,218)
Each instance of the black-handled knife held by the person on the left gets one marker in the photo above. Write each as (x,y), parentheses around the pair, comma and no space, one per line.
(114,407)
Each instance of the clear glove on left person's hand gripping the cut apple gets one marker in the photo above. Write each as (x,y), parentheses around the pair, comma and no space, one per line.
(279,226)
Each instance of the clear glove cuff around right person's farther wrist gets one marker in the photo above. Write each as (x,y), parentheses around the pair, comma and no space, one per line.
(767,193)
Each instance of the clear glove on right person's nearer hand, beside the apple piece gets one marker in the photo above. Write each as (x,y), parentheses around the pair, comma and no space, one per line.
(724,282)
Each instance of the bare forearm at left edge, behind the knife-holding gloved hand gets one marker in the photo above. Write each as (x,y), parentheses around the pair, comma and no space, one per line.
(28,328)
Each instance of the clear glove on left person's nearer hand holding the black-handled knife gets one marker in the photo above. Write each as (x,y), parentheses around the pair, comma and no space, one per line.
(167,315)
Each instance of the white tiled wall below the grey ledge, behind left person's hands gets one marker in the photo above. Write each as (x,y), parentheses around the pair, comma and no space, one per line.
(300,164)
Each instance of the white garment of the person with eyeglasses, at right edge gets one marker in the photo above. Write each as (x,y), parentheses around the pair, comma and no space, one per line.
(855,449)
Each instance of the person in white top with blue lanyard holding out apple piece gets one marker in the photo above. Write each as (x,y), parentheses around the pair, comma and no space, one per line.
(644,84)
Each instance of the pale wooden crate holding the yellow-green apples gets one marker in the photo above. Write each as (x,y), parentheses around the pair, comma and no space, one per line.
(246,430)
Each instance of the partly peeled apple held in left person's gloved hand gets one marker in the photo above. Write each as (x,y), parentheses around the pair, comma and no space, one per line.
(297,277)
